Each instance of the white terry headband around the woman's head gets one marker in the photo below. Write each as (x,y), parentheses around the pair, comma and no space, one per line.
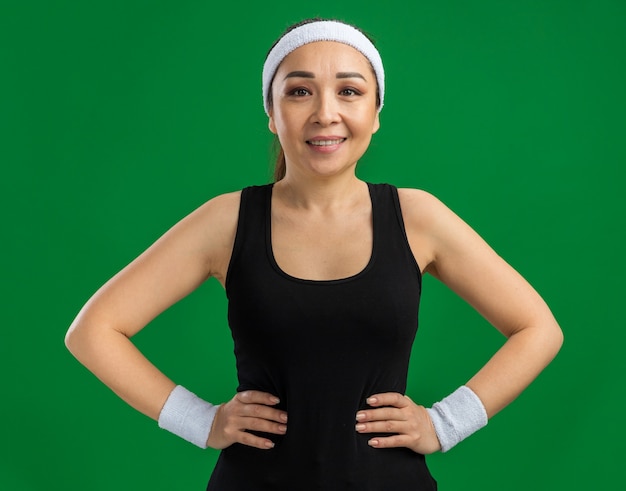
(321,31)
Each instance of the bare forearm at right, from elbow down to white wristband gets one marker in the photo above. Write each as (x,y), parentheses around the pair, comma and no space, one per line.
(515,365)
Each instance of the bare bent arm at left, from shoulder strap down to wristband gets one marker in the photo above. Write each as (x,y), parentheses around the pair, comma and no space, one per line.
(193,250)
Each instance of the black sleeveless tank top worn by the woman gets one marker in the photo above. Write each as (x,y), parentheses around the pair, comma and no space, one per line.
(322,347)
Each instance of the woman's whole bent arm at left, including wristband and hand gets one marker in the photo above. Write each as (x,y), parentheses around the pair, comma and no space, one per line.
(198,247)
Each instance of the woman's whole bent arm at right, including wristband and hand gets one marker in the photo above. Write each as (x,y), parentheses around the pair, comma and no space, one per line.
(450,250)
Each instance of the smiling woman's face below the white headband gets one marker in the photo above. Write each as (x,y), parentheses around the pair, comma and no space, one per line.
(324,108)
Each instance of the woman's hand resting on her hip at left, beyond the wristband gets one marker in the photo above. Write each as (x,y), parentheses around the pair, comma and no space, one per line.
(249,410)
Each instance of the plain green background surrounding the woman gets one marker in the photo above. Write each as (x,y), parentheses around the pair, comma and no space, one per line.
(119,118)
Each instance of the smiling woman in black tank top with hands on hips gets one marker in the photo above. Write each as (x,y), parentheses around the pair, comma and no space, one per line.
(323,276)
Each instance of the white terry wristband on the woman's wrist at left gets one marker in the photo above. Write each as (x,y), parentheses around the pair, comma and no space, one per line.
(187,416)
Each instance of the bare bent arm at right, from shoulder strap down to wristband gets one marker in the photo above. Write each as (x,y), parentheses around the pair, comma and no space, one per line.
(450,250)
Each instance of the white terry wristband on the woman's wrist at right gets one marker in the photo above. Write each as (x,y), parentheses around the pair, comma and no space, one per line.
(457,416)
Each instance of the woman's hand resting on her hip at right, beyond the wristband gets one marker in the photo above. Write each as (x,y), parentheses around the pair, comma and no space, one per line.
(396,413)
